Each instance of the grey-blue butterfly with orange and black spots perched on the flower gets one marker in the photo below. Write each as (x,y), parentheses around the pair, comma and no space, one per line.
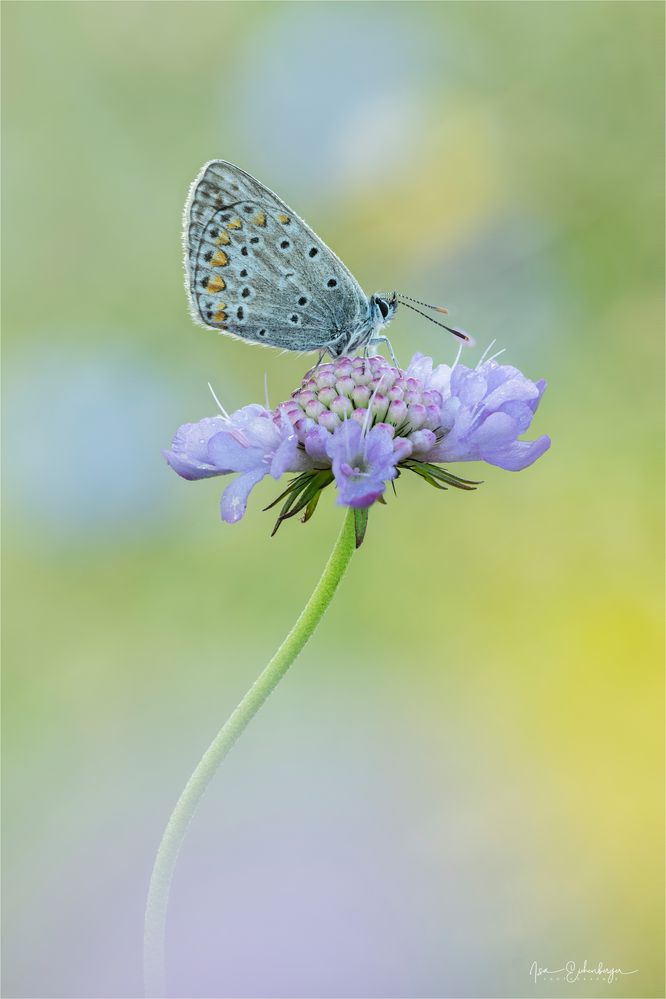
(256,271)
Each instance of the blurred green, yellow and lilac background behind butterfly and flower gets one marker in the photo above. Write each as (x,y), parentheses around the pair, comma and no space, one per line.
(463,772)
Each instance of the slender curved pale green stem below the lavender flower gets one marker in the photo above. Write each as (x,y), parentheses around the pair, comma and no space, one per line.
(186,806)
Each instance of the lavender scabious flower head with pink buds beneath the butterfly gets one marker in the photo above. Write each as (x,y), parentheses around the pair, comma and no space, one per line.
(359,422)
